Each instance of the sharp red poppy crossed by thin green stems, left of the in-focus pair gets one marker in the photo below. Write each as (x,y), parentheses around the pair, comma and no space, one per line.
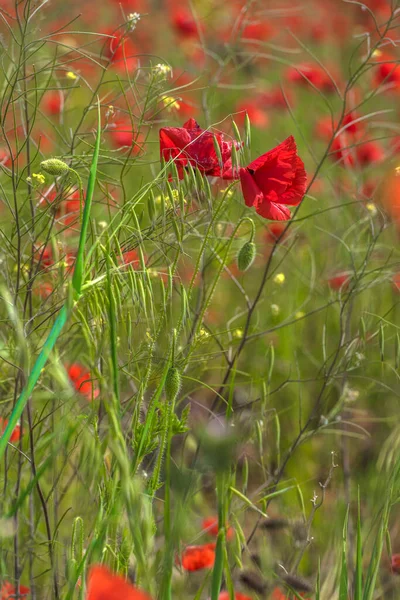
(191,144)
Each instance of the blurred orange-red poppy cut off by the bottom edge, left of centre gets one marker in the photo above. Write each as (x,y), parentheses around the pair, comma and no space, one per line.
(105,585)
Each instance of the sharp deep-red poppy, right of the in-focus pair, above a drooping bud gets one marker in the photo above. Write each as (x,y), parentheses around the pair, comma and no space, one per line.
(274,181)
